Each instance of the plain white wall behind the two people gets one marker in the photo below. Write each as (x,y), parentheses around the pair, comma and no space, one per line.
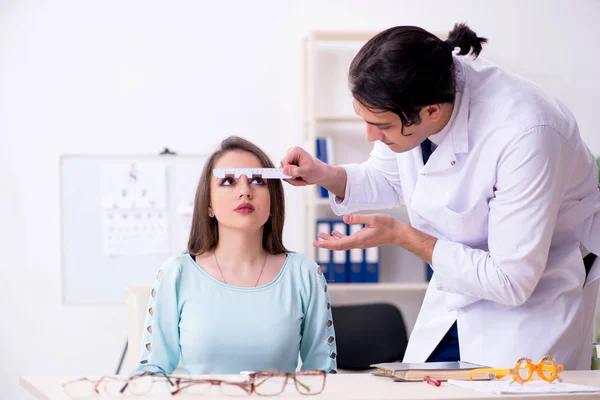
(96,77)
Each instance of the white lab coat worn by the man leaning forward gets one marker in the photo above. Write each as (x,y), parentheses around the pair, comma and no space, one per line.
(511,193)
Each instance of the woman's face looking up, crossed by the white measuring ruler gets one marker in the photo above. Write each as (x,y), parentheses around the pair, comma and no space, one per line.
(240,203)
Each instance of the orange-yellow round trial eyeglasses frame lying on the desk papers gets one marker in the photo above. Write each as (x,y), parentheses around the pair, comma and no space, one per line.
(545,364)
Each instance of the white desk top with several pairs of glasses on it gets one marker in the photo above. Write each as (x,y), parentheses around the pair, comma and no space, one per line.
(340,386)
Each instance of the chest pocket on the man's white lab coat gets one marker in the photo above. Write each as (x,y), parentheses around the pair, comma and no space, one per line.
(468,227)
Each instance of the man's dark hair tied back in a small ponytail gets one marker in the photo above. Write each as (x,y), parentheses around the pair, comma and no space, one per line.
(405,68)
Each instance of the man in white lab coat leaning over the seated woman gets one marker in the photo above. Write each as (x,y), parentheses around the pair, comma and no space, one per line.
(501,192)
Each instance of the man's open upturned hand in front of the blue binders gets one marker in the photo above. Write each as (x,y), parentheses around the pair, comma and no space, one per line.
(379,230)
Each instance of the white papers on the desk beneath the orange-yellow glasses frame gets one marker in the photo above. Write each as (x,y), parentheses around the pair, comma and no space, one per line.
(505,387)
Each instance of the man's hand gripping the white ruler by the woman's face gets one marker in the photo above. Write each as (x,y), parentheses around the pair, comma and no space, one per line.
(304,168)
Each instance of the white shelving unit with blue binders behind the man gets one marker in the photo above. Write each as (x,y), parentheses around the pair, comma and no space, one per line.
(331,121)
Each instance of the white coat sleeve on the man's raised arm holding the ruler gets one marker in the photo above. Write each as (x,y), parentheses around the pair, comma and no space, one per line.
(372,185)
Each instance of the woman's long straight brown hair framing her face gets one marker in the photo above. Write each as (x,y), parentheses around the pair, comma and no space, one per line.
(204,234)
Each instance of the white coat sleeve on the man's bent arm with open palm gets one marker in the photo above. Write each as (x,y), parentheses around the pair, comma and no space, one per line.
(531,179)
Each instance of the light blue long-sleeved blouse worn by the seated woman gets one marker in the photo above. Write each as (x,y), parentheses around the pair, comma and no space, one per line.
(223,329)
